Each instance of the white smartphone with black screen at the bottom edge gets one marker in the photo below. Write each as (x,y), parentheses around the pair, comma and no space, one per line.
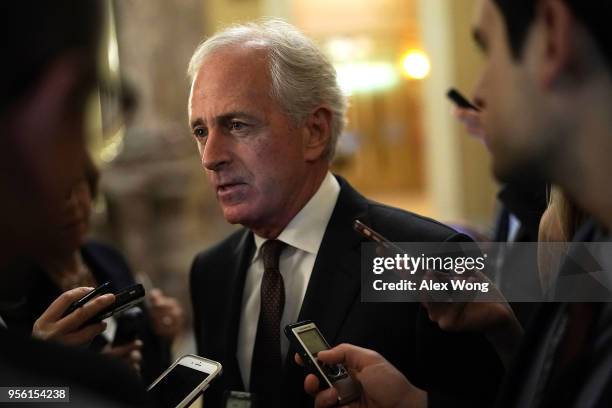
(184,381)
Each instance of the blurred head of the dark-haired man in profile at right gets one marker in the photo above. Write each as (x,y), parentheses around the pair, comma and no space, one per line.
(546,61)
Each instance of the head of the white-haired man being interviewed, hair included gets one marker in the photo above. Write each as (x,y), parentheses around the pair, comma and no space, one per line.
(266,111)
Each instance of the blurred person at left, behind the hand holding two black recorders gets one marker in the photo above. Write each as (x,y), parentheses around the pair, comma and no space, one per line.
(140,336)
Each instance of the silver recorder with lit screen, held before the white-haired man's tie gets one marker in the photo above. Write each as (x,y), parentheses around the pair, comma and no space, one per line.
(306,338)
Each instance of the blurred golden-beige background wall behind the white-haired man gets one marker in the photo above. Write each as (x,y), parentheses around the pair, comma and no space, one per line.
(401,146)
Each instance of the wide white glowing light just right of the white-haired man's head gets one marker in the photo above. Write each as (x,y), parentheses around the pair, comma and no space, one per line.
(365,76)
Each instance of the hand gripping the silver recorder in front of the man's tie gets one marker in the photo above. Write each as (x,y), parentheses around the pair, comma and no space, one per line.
(382,384)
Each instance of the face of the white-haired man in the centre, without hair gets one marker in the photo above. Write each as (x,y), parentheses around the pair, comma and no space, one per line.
(252,153)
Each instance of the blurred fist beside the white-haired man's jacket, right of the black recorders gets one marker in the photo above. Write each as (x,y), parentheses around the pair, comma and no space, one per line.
(166,314)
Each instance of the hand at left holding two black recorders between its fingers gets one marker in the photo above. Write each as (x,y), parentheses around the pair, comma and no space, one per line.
(69,330)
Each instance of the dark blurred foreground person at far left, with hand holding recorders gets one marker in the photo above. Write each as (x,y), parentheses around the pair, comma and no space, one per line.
(48,73)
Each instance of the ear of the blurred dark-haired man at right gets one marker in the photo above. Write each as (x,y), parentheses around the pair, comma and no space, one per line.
(559,28)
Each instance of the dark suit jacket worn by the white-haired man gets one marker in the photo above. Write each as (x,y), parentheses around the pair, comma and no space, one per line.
(332,297)
